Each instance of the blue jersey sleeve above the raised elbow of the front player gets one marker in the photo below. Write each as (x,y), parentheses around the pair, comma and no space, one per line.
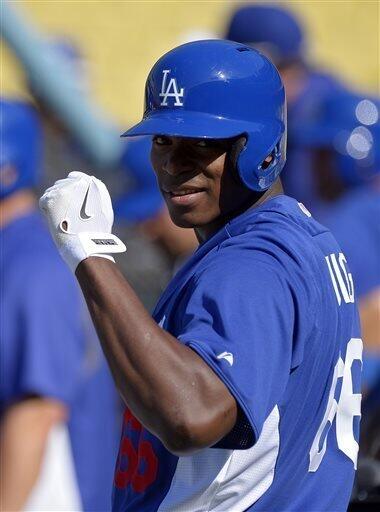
(239,317)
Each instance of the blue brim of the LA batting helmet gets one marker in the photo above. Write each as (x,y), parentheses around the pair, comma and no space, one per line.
(181,123)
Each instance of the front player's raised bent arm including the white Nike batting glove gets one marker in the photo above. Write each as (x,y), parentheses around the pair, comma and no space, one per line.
(169,388)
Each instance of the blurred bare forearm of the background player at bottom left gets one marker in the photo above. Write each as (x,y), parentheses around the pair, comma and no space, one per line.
(24,430)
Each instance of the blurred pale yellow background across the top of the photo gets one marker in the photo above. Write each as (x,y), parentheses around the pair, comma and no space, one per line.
(122,39)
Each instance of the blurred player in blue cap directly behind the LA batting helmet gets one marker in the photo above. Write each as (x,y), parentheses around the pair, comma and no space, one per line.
(277,33)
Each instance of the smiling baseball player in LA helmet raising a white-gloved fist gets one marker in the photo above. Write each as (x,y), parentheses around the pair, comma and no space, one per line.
(243,390)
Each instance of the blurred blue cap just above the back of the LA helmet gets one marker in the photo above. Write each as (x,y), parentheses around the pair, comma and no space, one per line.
(270,28)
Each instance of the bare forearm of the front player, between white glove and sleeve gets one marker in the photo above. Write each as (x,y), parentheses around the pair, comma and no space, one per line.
(167,386)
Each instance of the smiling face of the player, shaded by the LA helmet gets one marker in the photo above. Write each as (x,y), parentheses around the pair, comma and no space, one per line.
(198,186)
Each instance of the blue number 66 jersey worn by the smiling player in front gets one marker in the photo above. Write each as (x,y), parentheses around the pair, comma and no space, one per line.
(268,303)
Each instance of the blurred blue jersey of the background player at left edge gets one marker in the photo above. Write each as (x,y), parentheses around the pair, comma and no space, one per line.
(48,348)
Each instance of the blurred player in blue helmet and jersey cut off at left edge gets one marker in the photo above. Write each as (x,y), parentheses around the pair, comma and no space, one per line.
(57,400)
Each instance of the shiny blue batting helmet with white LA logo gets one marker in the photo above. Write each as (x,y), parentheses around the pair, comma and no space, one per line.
(220,89)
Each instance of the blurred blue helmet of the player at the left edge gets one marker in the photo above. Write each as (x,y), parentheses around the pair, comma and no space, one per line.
(21,146)
